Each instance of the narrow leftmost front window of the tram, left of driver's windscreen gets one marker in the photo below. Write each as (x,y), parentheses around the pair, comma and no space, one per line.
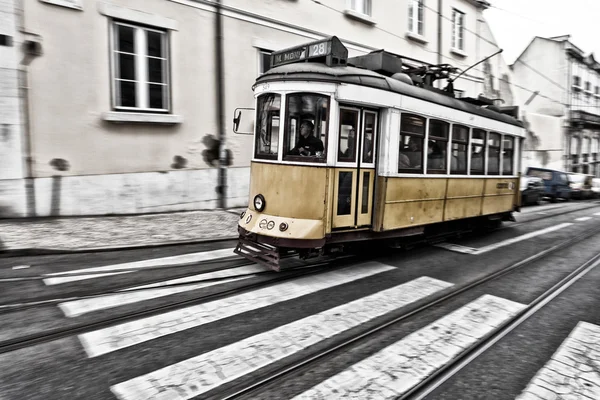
(267,126)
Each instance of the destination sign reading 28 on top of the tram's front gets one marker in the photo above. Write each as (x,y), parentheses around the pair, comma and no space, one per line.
(330,50)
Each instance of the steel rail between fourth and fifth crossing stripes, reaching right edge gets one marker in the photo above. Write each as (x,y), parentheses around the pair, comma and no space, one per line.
(303,364)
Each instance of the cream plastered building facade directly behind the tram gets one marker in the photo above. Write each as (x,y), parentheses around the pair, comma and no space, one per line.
(117,107)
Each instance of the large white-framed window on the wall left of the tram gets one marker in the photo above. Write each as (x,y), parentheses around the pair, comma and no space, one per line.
(140,59)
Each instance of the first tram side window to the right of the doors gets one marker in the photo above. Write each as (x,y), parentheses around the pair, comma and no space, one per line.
(412,135)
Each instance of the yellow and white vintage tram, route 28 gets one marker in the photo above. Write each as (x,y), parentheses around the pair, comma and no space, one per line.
(360,149)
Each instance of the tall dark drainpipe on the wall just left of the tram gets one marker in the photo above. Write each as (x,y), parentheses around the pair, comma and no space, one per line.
(222,186)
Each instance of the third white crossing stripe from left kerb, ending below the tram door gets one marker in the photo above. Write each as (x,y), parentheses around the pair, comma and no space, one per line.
(131,333)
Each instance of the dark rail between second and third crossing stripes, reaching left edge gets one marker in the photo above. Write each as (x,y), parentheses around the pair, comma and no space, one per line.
(59,333)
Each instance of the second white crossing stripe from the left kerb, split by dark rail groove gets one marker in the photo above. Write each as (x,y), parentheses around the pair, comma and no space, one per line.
(79,307)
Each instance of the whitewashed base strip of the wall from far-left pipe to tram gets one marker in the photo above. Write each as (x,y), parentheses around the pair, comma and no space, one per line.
(137,193)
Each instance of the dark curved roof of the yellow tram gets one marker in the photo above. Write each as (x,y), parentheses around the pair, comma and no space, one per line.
(319,72)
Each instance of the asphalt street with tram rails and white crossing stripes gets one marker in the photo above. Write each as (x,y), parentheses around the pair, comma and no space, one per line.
(196,321)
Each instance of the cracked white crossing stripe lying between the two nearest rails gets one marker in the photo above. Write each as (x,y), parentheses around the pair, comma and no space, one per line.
(396,369)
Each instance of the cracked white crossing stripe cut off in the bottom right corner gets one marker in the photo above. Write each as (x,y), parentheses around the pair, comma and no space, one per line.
(572,372)
